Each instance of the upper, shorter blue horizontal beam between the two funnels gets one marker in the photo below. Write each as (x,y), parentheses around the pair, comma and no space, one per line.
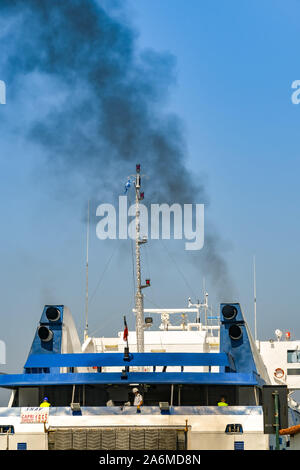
(136,359)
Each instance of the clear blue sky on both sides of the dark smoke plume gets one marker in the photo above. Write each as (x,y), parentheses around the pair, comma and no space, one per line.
(235,63)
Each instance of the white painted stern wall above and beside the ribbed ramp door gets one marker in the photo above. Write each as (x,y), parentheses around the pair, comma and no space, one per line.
(205,431)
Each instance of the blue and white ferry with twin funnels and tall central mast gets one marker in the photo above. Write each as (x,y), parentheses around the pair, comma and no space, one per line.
(181,372)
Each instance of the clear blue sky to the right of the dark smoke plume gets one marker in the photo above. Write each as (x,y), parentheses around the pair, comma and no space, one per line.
(235,65)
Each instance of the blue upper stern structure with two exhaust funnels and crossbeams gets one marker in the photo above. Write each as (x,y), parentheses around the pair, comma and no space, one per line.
(190,377)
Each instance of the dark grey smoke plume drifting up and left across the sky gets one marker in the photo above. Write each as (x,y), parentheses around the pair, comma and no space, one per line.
(106,111)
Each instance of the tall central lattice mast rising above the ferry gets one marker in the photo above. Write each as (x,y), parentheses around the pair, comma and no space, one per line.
(139,298)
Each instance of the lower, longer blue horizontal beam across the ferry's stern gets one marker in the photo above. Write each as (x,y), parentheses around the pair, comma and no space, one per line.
(21,380)
